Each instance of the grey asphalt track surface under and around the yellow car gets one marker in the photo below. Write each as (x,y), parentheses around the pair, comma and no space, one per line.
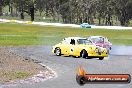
(119,61)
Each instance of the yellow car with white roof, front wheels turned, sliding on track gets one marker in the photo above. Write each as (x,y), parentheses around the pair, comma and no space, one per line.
(79,47)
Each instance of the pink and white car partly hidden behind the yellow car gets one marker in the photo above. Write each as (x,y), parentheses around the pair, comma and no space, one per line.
(101,41)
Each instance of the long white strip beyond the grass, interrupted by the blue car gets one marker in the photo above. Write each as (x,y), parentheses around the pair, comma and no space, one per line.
(66,25)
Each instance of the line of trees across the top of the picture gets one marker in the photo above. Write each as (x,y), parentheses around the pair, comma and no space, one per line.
(73,11)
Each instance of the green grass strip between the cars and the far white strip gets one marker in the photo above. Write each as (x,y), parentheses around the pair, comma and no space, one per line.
(19,34)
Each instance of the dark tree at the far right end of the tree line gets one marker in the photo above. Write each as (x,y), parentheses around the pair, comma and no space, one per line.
(123,10)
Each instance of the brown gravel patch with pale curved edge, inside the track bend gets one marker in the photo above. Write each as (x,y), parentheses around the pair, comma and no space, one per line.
(15,69)
